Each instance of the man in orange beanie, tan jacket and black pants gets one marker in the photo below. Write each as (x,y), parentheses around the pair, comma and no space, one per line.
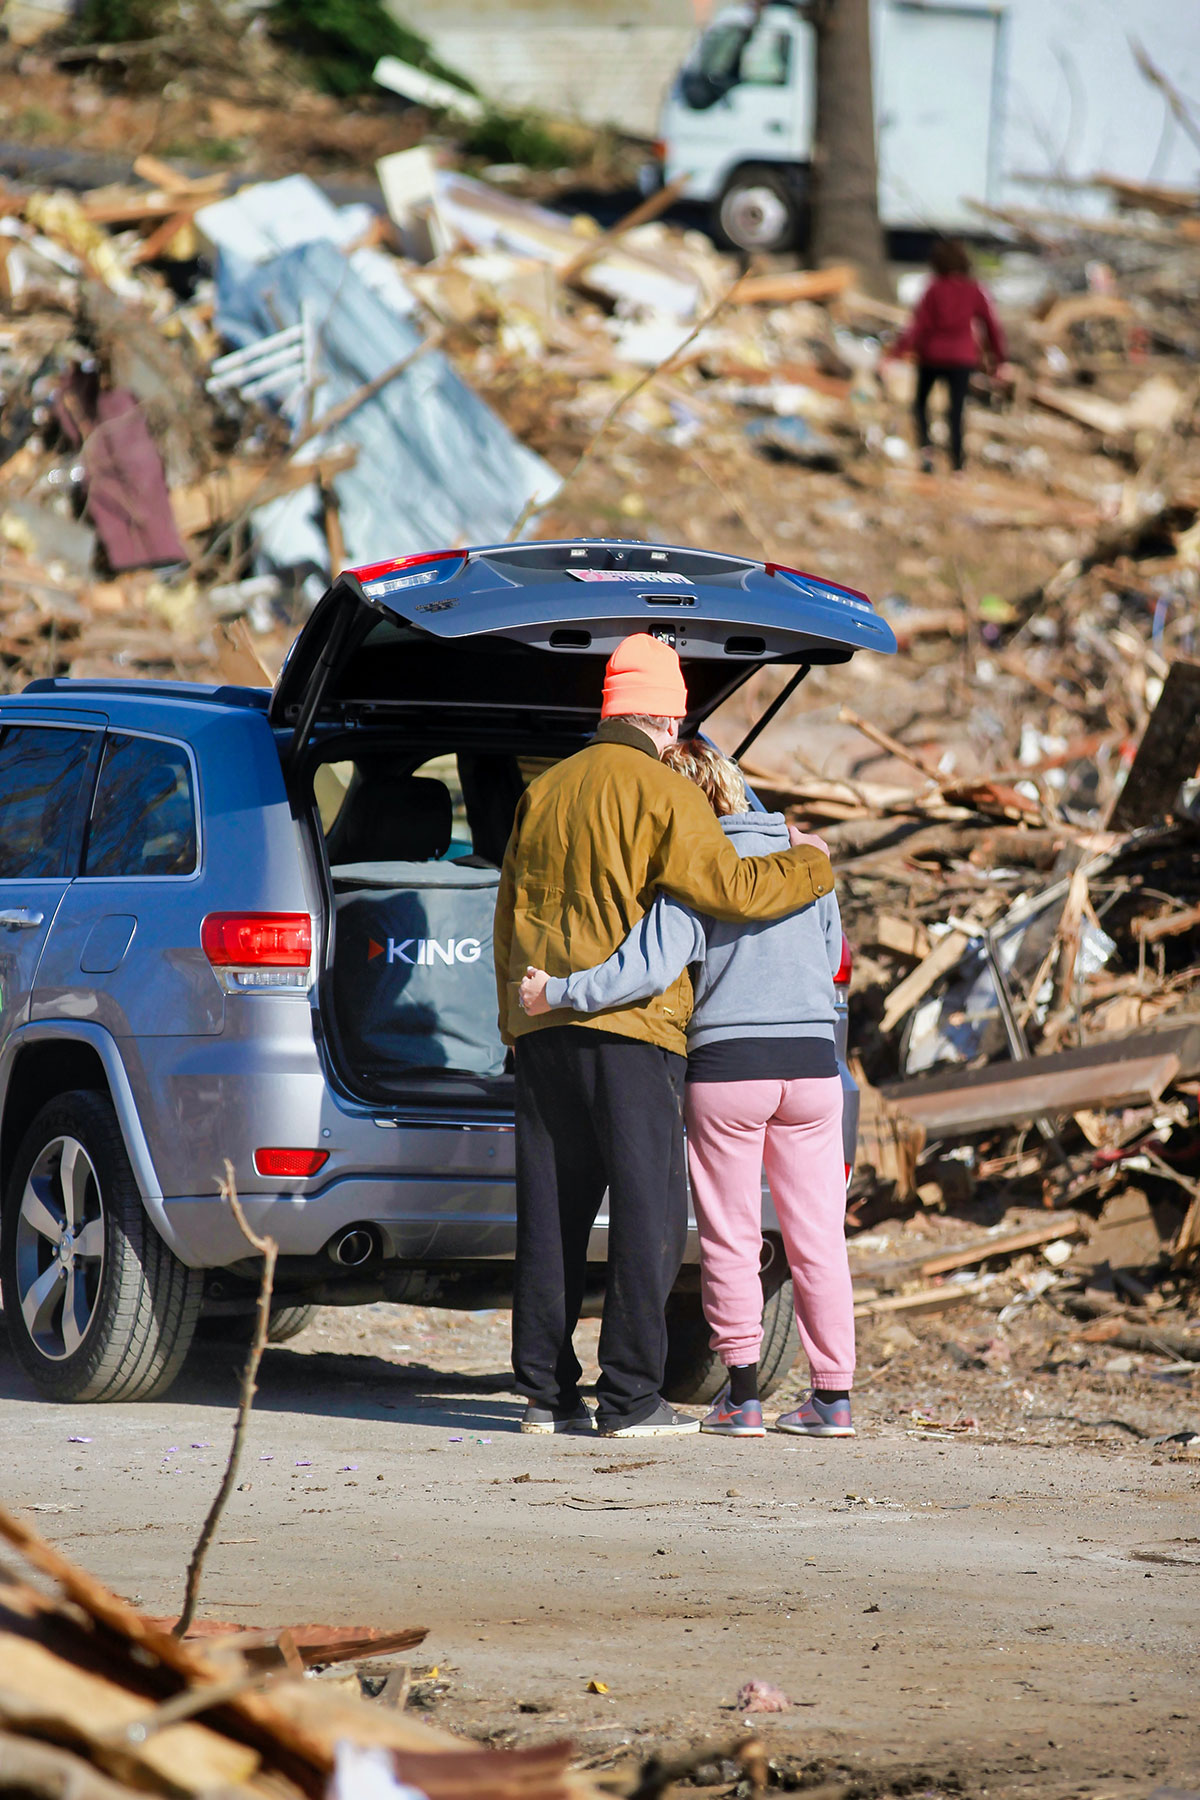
(600,1099)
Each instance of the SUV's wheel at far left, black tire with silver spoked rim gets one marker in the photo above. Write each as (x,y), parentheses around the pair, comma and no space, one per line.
(134,1302)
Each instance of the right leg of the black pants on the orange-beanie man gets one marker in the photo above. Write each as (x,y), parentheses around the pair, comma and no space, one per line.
(640,1120)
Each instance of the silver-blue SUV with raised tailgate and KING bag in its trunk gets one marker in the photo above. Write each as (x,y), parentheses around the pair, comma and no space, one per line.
(258,928)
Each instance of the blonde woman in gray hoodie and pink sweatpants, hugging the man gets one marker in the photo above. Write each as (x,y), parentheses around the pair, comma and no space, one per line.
(764,1093)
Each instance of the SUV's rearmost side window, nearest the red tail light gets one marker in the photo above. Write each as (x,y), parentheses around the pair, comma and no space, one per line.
(145,811)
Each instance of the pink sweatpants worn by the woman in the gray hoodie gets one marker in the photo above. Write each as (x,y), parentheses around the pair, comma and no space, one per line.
(793,1131)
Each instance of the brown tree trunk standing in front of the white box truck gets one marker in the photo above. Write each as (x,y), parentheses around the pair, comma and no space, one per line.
(846,210)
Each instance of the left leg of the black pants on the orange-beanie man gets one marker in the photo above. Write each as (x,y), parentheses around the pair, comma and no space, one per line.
(560,1183)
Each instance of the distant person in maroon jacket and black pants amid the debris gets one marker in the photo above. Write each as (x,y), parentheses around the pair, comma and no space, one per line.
(951,327)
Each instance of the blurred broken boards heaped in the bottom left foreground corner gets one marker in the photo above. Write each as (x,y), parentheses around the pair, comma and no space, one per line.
(100,1702)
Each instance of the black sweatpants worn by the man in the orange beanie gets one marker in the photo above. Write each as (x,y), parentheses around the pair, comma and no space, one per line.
(596,1111)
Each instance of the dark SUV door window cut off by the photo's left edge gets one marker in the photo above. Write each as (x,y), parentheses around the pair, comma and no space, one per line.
(44,778)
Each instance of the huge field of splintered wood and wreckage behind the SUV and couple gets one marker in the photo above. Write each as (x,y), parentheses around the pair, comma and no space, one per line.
(215,397)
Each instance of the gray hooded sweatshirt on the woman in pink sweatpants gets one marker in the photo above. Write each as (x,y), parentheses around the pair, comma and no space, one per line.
(751,982)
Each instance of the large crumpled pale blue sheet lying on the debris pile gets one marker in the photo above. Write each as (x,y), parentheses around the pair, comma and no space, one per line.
(436,467)
